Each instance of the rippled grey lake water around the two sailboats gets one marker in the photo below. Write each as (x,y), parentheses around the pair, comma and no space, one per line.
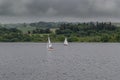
(78,61)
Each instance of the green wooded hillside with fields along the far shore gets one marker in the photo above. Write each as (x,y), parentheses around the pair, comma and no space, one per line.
(75,32)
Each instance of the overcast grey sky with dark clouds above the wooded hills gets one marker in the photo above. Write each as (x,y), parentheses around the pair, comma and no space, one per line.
(59,10)
